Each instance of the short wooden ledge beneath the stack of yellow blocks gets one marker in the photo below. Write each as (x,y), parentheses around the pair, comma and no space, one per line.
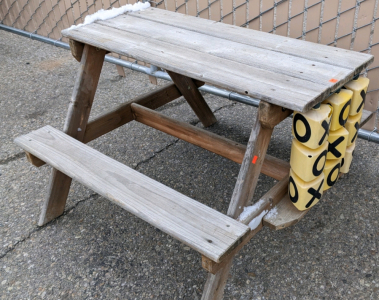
(287,215)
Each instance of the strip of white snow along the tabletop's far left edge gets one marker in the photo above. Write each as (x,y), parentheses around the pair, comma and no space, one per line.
(112,13)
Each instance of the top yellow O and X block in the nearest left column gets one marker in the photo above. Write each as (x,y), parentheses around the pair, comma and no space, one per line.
(312,128)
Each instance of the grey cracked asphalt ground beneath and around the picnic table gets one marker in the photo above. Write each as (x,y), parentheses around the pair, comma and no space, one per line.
(96,250)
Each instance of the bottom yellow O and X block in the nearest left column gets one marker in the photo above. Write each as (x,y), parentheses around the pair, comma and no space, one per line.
(305,194)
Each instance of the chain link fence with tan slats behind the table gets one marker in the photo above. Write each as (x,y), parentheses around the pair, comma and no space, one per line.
(348,24)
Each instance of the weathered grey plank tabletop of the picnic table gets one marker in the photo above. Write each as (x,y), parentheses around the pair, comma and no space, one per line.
(292,73)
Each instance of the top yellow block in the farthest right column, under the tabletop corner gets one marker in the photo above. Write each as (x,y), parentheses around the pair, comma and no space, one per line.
(359,89)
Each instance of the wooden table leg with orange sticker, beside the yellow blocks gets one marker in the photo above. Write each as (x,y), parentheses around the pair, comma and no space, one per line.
(268,116)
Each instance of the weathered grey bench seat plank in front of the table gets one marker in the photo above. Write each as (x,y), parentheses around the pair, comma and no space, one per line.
(202,228)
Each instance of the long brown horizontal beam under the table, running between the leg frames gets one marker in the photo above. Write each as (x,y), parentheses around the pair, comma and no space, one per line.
(234,151)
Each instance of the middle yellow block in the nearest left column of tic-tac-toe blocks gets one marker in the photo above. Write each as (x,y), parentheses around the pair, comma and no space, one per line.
(307,163)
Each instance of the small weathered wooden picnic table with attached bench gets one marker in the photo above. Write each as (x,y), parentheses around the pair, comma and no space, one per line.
(284,73)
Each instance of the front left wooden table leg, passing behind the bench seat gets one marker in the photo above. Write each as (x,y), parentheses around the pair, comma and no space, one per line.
(77,117)
